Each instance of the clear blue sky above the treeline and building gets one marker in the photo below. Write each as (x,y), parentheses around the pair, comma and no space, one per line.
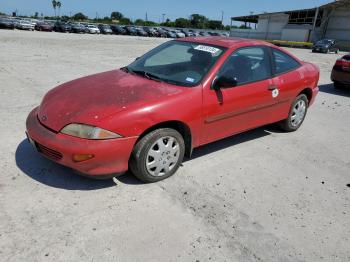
(156,8)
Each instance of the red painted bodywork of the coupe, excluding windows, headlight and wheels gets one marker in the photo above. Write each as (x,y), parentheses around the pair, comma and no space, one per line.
(129,105)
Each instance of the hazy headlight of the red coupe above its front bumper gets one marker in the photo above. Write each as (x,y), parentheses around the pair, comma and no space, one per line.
(88,132)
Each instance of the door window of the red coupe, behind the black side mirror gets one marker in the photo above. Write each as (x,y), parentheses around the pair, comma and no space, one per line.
(250,64)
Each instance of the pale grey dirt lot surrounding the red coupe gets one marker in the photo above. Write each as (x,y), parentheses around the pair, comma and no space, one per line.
(259,196)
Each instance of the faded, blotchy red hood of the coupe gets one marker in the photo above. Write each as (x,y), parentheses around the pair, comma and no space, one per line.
(91,99)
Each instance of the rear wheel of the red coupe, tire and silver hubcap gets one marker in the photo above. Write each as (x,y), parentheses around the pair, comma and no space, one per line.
(297,114)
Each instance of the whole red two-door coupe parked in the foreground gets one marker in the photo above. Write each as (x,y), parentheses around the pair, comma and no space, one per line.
(183,94)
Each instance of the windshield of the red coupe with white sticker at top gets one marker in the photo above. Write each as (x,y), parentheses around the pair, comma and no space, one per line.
(177,62)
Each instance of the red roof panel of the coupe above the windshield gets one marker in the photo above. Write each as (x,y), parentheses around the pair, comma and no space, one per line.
(228,42)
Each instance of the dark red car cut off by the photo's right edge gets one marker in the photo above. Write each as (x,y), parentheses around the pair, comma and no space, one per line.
(341,72)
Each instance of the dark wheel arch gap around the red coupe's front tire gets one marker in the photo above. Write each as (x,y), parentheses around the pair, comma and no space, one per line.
(179,126)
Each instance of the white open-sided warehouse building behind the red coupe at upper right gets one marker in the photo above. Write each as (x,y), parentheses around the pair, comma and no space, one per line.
(307,25)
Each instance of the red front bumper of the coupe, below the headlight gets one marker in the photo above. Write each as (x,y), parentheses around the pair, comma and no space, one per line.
(110,156)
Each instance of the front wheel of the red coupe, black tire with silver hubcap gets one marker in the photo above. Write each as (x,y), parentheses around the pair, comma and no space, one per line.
(149,165)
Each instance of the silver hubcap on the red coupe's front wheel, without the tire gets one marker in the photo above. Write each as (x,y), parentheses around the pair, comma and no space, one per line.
(163,156)
